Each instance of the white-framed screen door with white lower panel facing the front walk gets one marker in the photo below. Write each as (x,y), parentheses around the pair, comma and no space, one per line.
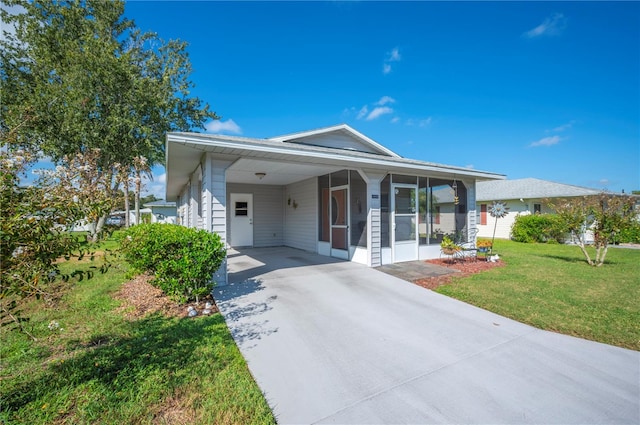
(404,211)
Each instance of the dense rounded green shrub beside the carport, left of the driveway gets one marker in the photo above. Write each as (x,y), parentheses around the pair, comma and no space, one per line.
(182,259)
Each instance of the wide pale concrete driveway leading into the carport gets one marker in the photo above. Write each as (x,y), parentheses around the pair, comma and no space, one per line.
(330,341)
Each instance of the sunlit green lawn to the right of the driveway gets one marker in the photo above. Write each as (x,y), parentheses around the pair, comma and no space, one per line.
(552,287)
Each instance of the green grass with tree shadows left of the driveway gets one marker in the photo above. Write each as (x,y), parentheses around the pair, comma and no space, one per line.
(101,368)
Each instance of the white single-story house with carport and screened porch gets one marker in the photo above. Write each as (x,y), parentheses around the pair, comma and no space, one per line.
(332,191)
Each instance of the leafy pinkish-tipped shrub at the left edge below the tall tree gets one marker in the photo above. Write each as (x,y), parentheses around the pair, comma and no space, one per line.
(34,236)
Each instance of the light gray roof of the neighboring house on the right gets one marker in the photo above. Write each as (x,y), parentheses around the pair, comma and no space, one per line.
(528,188)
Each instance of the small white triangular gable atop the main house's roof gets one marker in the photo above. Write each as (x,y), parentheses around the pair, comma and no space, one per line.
(318,137)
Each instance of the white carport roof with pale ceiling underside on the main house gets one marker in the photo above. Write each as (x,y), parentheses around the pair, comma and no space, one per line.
(292,161)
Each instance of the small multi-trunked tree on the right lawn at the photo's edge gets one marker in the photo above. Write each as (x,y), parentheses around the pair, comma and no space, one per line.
(605,215)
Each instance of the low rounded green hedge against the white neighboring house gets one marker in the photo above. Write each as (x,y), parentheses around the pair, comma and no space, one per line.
(537,228)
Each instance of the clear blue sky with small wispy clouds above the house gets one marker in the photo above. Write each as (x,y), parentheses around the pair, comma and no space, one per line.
(528,89)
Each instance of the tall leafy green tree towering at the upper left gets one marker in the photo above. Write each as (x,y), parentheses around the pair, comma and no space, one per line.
(76,76)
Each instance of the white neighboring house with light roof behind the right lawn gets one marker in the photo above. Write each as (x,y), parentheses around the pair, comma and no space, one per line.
(522,196)
